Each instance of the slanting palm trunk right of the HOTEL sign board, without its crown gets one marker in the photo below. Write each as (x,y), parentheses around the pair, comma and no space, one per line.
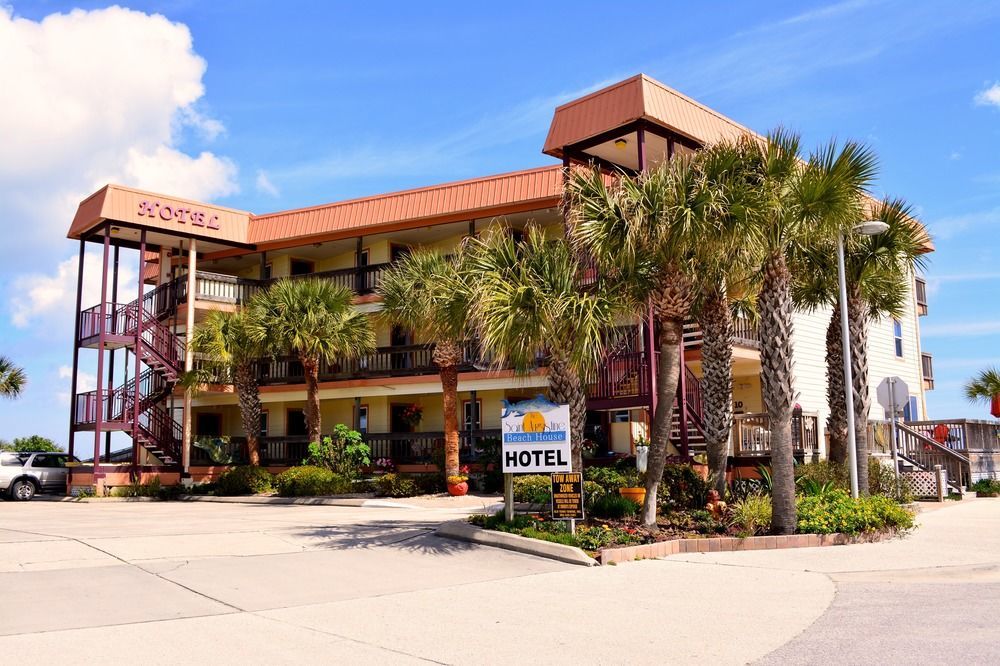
(667,375)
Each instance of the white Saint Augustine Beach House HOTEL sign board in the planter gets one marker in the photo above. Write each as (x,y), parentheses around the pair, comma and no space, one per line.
(535,437)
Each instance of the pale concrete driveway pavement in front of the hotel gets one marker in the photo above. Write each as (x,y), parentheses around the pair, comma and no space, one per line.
(245,583)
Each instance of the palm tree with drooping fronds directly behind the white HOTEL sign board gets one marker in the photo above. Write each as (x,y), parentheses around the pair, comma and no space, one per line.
(527,303)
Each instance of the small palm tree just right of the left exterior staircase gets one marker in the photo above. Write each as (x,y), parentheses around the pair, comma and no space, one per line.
(229,349)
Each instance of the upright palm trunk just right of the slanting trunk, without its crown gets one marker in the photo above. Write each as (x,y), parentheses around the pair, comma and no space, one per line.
(717,382)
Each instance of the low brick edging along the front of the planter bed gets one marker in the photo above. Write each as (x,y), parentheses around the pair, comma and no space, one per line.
(729,544)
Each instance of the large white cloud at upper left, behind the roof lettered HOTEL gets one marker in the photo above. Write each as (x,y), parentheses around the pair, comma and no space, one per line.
(101,96)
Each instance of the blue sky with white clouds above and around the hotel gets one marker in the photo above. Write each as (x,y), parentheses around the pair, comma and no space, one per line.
(276,106)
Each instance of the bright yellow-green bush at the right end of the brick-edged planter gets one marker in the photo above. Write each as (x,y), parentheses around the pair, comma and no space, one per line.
(838,512)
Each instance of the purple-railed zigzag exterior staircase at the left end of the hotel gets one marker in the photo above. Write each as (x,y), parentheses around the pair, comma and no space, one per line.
(138,326)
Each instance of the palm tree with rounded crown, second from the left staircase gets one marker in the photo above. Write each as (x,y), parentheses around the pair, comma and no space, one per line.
(313,319)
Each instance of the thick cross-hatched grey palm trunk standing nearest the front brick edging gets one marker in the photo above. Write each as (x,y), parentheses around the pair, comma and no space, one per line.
(778,387)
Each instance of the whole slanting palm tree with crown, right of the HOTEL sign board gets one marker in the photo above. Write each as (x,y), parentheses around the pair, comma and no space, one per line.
(644,234)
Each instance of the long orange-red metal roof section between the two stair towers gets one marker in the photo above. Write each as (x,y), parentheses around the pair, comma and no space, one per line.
(479,197)
